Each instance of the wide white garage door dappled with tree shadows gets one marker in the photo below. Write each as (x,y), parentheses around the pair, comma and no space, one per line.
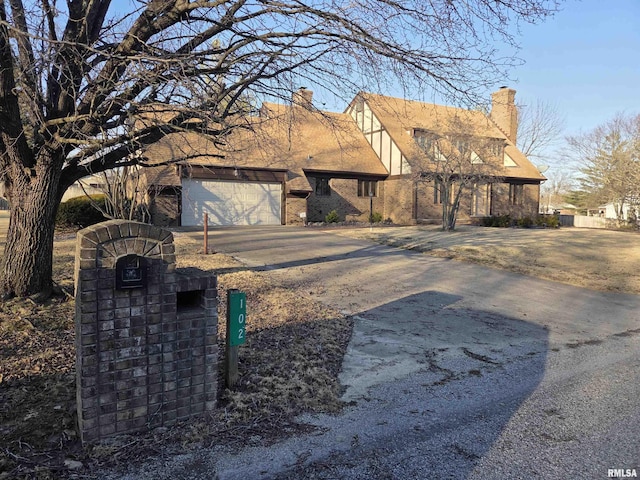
(230,203)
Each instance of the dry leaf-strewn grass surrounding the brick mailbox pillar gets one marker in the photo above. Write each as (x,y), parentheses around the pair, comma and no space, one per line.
(289,365)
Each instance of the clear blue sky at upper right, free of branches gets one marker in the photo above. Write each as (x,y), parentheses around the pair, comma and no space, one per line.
(585,60)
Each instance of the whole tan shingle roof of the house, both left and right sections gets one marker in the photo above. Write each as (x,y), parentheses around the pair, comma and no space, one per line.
(296,140)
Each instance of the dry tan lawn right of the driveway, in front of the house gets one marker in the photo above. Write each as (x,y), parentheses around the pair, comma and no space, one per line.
(598,259)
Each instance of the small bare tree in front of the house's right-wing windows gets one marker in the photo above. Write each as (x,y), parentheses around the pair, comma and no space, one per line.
(457,163)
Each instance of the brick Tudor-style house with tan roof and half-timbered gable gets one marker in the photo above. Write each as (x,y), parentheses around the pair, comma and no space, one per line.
(294,162)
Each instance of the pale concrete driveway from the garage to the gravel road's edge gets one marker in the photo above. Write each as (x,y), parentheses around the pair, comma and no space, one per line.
(414,311)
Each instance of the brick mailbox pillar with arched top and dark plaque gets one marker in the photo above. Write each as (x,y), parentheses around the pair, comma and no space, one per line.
(146,332)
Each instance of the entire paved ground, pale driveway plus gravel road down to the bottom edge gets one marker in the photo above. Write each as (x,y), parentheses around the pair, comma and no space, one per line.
(454,371)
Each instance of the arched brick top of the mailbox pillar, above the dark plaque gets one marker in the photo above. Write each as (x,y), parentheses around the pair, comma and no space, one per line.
(100,245)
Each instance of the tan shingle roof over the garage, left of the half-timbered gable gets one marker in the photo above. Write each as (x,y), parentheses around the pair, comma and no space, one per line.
(284,138)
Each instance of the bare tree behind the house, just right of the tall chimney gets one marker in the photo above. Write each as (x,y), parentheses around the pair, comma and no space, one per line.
(540,128)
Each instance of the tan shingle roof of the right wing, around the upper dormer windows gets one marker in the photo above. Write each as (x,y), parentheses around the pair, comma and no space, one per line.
(401,117)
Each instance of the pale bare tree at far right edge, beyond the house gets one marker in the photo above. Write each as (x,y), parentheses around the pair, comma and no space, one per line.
(610,159)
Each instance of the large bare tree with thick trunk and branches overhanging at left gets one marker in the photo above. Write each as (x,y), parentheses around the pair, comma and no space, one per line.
(74,74)
